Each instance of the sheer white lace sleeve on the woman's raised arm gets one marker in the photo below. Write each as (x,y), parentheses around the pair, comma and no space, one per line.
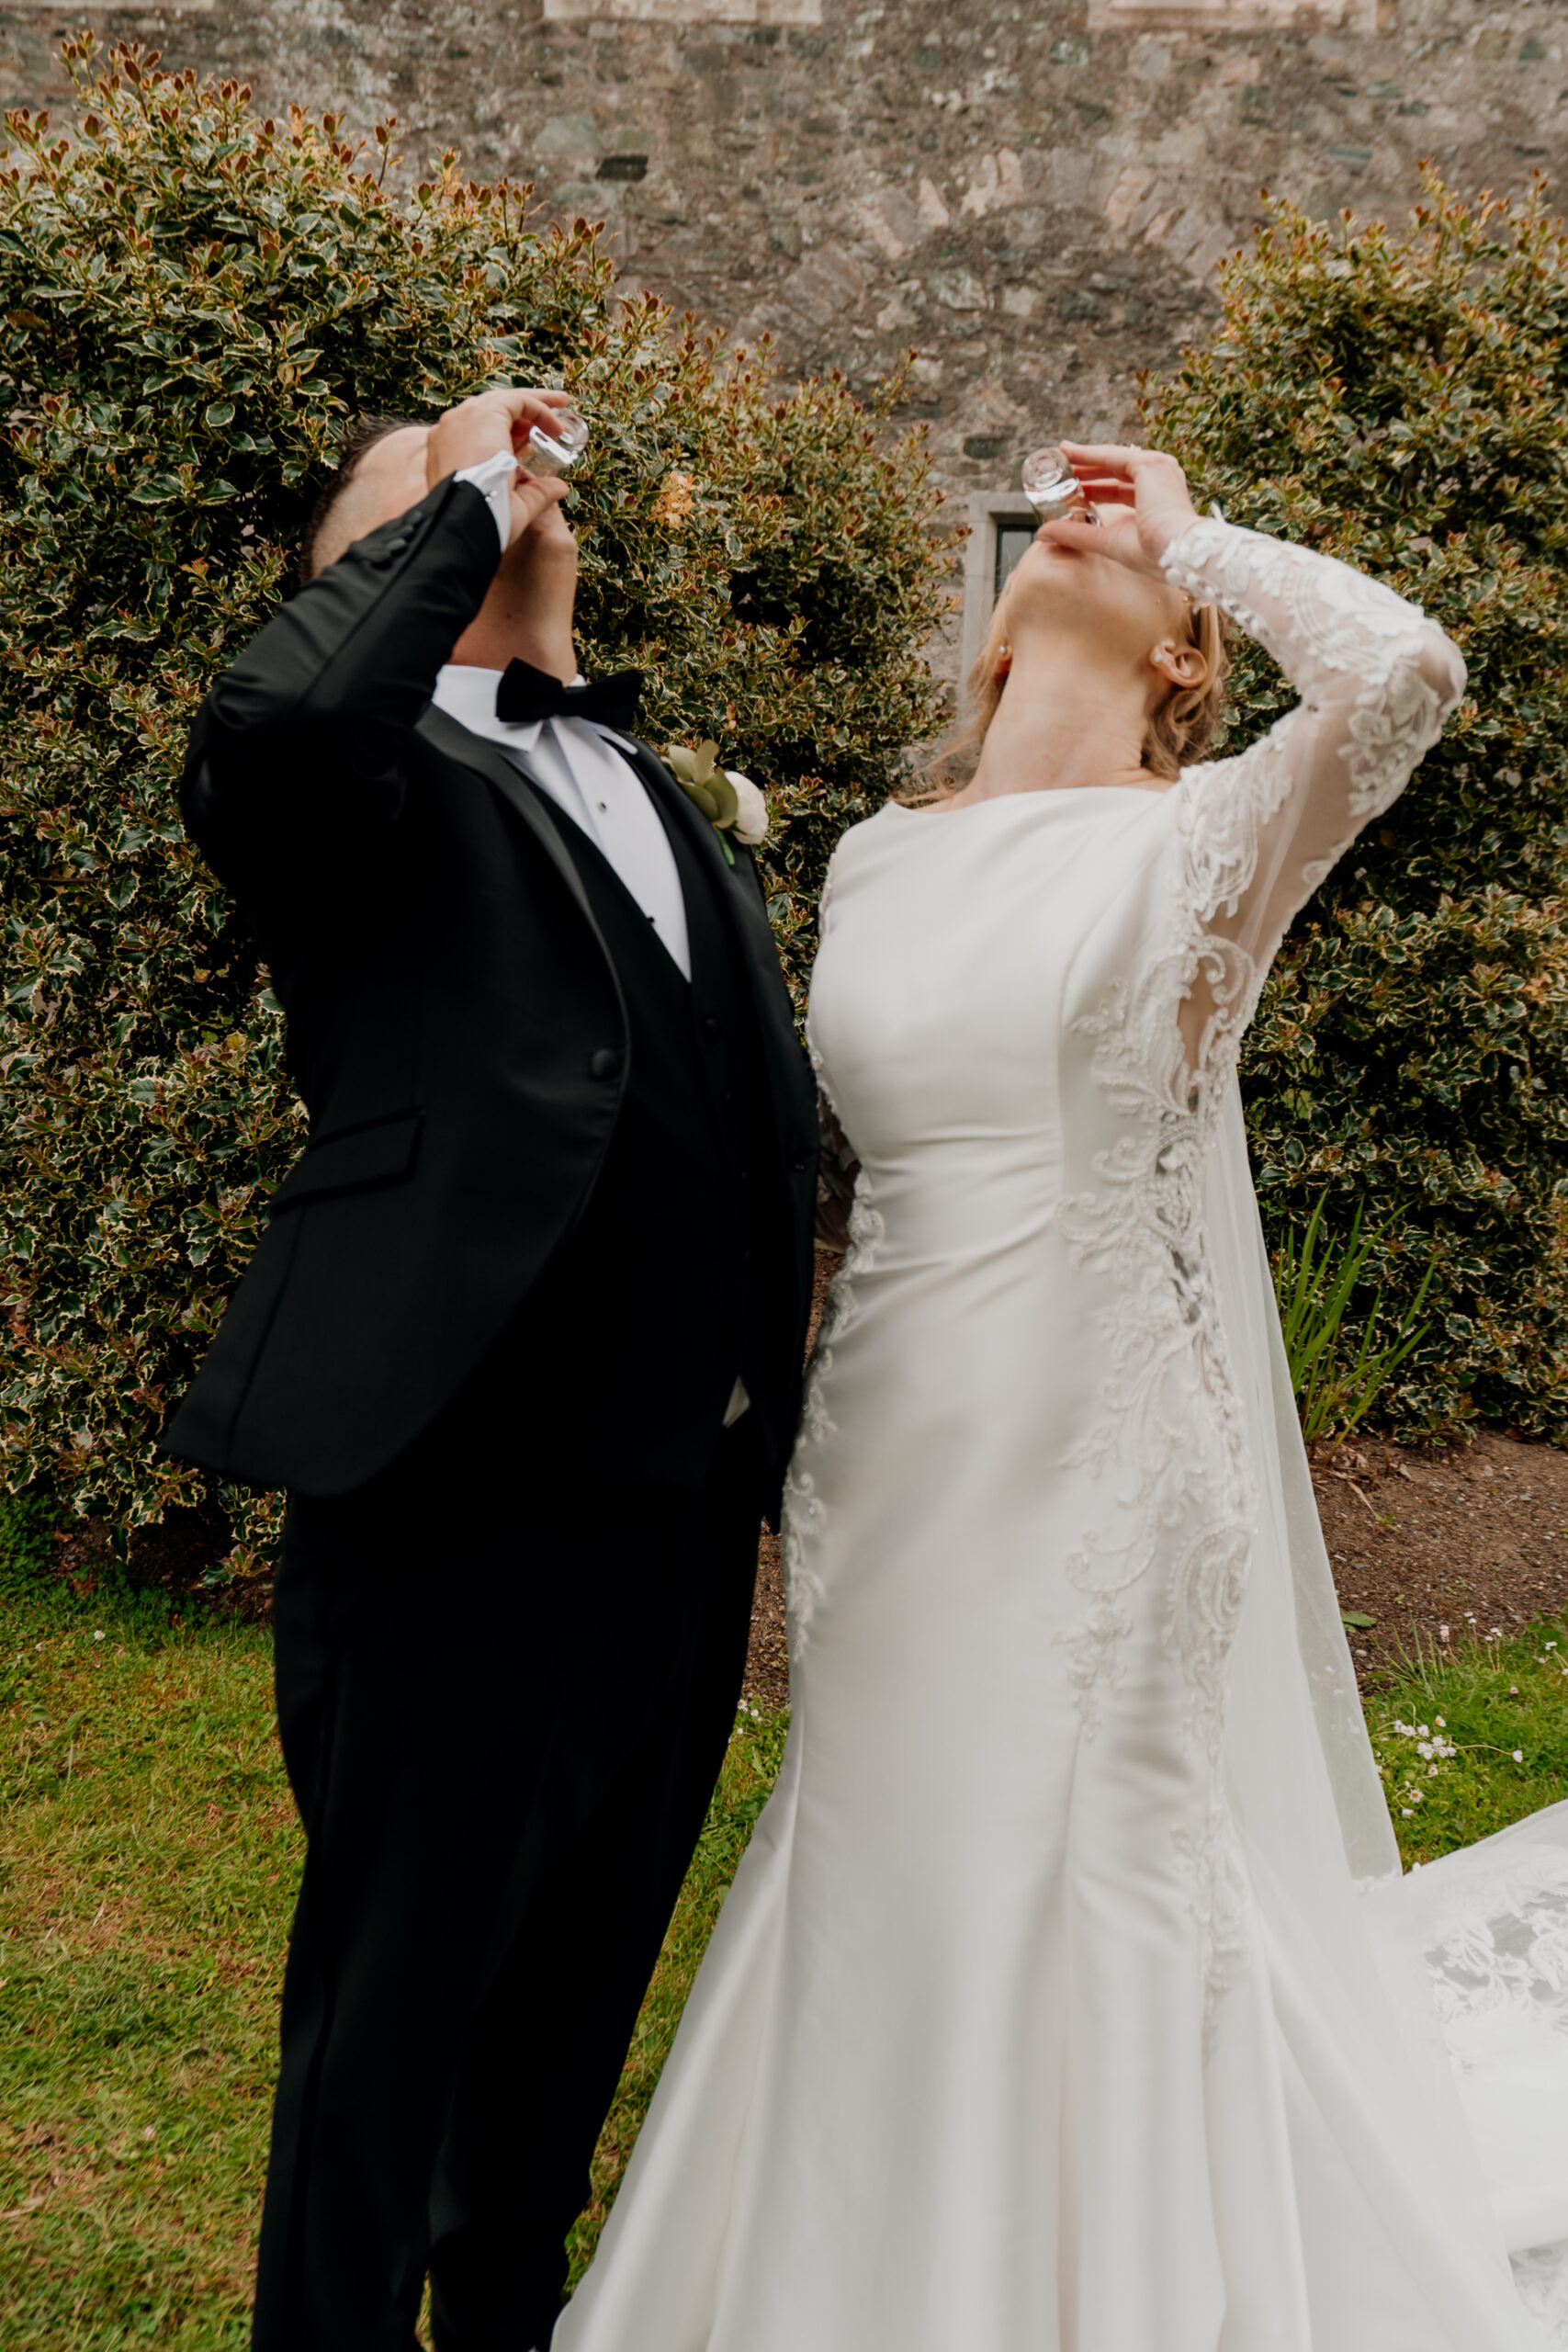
(1261,831)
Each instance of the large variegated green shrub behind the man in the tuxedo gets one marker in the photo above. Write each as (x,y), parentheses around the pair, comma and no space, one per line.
(192,305)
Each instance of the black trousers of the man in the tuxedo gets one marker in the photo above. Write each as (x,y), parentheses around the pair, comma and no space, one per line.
(502,1723)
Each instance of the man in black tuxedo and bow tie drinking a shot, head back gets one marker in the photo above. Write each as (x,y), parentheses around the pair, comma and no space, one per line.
(523,1342)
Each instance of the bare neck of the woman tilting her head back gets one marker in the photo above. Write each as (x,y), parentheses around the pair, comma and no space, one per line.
(1061,726)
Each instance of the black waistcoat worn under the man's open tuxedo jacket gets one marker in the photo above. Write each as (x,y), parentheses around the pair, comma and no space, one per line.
(676,1278)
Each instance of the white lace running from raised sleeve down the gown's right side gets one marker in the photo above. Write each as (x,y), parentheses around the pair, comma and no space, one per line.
(1172,1438)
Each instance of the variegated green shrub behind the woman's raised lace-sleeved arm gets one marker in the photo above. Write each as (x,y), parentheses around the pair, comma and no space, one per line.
(1400,399)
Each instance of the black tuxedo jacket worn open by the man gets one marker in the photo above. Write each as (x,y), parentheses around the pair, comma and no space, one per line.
(457,1027)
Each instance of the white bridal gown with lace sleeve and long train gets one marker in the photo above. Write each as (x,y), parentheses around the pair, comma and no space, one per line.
(1068,1998)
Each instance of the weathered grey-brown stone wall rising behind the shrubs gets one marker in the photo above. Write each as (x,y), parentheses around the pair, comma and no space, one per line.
(1033,199)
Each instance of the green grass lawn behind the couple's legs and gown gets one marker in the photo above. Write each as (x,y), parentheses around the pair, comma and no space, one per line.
(147,1878)
